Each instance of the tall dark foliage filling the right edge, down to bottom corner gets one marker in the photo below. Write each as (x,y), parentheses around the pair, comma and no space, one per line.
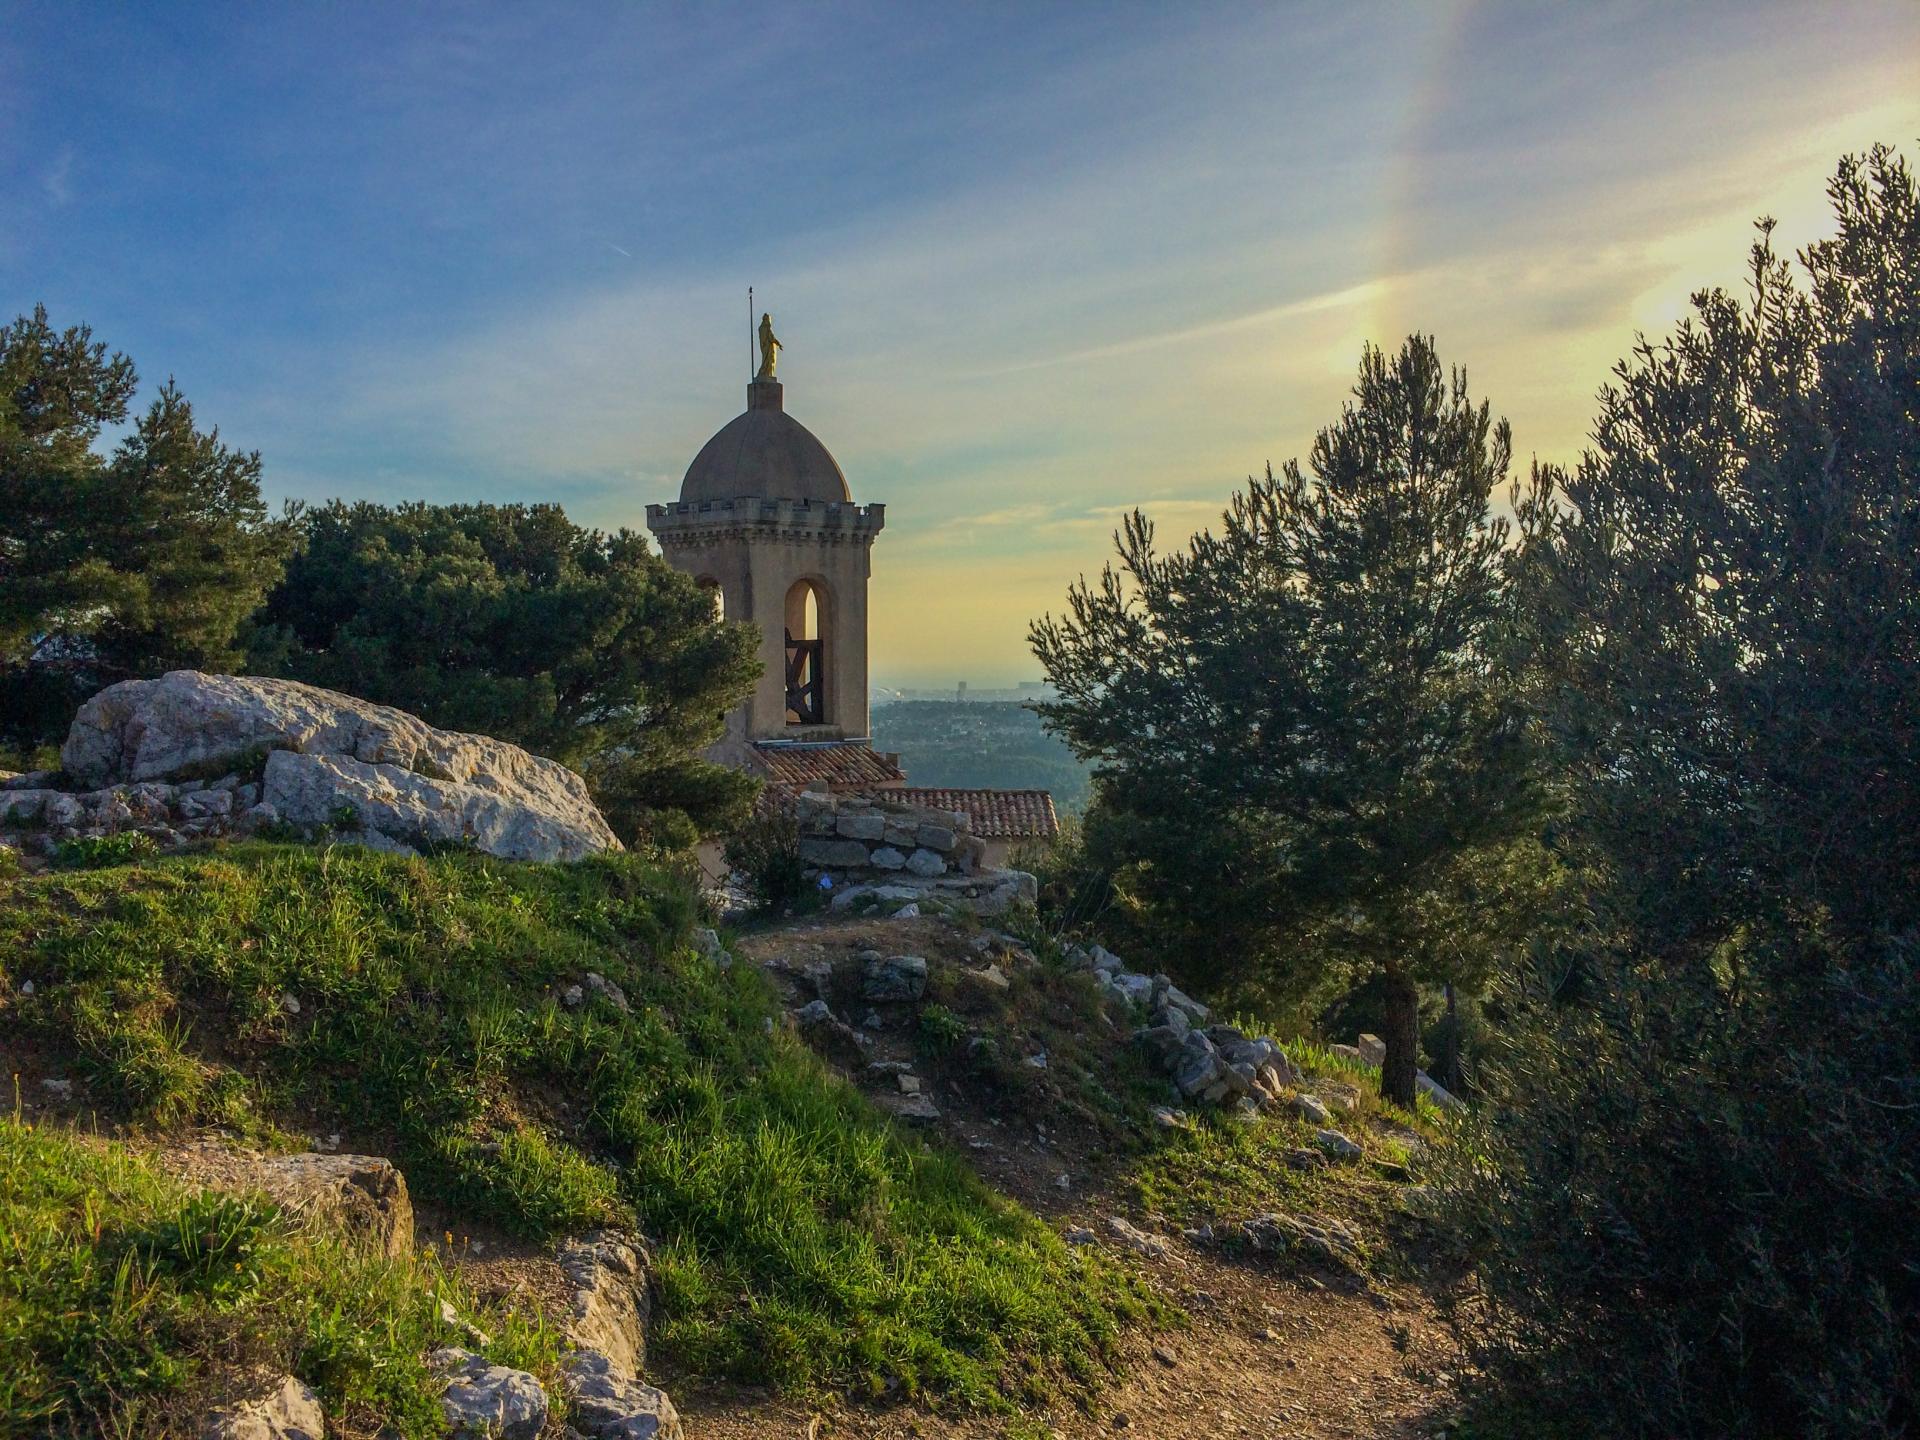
(1696,1174)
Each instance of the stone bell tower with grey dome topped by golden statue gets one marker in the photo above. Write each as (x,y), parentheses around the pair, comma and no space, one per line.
(767,521)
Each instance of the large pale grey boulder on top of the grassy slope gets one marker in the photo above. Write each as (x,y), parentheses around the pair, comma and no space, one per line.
(143,756)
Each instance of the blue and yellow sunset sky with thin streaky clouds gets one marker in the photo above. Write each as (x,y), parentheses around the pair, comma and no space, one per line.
(1034,264)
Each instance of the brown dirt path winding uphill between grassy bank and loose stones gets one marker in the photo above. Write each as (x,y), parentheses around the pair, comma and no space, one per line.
(1270,1353)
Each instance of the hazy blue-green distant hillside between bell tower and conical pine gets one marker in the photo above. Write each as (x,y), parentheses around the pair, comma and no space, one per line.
(980,744)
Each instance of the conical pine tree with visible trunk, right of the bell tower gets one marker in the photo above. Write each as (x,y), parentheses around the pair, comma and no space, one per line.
(1310,765)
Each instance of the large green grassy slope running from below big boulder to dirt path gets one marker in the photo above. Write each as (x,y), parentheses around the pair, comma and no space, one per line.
(804,1239)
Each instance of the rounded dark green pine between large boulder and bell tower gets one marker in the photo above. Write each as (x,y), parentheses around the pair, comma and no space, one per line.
(512,621)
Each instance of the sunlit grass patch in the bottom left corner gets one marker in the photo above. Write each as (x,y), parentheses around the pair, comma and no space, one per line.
(128,1307)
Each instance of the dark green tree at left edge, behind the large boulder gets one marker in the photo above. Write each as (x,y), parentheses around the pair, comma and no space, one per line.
(124,565)
